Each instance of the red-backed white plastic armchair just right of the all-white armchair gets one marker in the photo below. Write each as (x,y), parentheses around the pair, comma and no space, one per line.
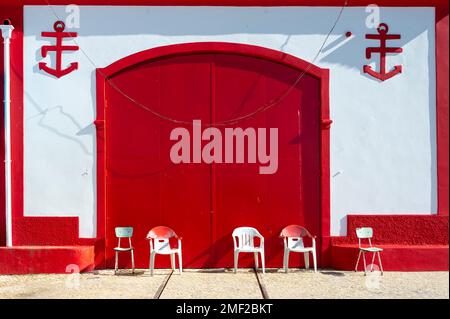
(293,242)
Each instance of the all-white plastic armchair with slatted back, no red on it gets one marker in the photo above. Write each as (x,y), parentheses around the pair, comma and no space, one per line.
(243,239)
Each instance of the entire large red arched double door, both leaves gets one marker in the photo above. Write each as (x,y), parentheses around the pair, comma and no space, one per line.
(204,202)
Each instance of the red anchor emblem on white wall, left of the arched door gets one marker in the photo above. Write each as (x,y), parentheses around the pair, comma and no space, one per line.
(59,27)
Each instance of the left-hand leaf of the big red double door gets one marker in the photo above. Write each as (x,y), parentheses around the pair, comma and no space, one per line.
(144,187)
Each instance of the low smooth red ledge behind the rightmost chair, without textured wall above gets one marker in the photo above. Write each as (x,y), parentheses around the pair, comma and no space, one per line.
(394,257)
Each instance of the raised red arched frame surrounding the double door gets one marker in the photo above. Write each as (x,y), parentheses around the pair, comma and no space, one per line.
(104,74)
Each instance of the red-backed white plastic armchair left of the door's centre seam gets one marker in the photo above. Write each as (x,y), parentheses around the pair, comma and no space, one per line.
(159,238)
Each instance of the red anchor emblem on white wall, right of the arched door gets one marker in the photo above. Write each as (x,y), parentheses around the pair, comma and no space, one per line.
(382,36)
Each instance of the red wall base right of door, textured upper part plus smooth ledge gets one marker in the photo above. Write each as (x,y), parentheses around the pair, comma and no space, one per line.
(410,242)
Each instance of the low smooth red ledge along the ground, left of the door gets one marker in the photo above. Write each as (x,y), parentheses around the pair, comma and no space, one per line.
(45,259)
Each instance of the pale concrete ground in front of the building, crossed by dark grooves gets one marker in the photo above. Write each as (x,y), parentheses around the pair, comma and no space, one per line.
(224,284)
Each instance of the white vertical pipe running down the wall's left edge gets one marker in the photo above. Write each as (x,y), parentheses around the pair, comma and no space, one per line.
(6,34)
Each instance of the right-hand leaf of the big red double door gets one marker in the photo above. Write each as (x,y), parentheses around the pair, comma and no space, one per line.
(243,196)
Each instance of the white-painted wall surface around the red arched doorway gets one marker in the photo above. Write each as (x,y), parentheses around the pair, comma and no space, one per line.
(383,143)
